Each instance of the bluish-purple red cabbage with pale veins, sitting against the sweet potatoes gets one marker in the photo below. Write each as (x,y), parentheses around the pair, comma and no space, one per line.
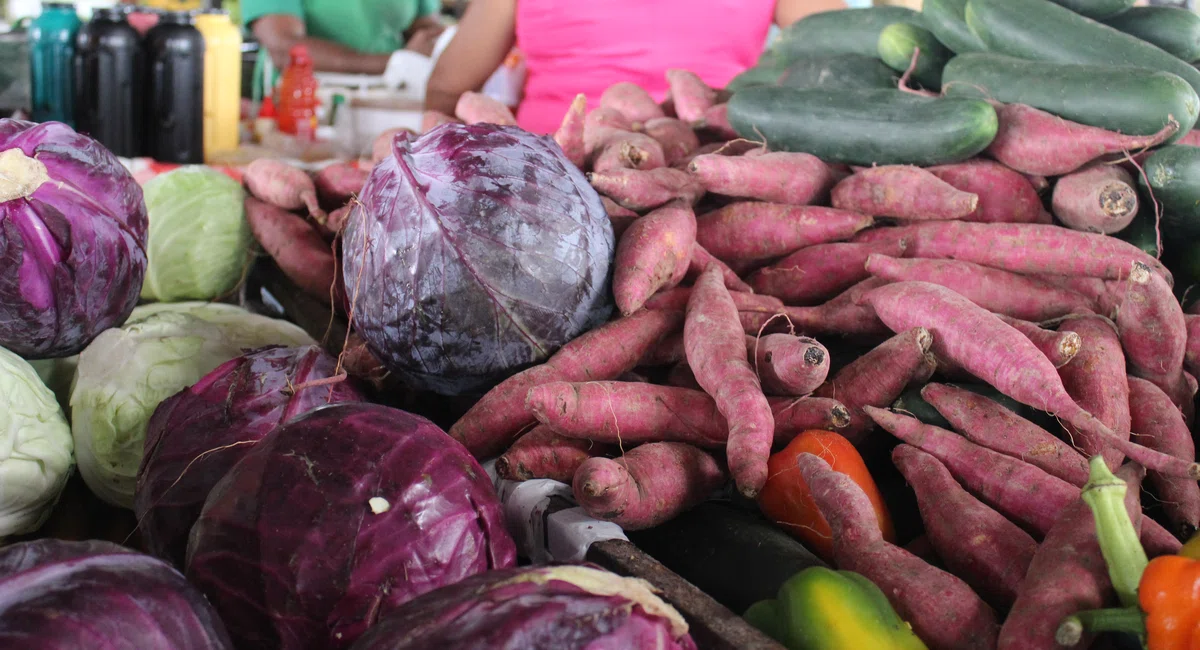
(477,250)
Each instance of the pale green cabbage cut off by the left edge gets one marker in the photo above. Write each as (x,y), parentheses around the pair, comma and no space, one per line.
(35,448)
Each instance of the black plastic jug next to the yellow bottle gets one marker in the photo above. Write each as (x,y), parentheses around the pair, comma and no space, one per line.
(175,127)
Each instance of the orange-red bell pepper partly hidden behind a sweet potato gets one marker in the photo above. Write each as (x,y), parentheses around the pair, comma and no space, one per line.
(787,499)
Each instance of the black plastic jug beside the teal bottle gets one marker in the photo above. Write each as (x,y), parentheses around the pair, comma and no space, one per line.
(109,70)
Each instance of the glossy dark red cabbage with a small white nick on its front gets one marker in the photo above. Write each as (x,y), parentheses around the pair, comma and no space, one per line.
(335,520)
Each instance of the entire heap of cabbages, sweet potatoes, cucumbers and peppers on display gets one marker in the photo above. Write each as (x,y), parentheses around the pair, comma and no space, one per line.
(915,287)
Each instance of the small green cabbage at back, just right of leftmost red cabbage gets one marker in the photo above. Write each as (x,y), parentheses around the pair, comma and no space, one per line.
(200,242)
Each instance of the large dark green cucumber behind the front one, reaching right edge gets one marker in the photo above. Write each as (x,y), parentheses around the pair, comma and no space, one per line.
(1130,100)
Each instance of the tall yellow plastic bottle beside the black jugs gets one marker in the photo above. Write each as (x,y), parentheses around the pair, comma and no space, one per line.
(223,82)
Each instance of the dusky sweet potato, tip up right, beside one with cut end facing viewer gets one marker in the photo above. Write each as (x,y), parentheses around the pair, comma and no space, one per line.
(879,377)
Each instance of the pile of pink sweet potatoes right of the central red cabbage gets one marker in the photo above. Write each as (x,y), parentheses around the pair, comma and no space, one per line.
(741,272)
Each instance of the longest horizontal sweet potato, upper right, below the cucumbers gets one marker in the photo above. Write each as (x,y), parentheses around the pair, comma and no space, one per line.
(1030,249)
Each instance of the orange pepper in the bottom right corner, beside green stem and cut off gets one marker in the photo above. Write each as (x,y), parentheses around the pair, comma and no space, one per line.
(1169,594)
